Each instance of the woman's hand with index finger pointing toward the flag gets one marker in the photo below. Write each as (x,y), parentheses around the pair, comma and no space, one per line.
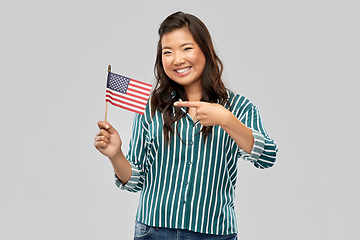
(209,114)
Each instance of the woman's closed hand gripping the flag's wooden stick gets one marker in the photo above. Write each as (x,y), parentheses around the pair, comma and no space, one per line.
(108,140)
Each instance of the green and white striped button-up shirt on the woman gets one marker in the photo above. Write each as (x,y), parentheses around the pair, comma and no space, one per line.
(190,183)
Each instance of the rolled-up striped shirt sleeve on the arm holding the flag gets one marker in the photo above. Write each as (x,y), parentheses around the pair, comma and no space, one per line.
(136,156)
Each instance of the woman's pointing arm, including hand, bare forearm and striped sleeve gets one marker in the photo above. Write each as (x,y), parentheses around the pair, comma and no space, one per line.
(250,136)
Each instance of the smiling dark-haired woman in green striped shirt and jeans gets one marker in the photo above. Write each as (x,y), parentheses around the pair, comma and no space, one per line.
(184,150)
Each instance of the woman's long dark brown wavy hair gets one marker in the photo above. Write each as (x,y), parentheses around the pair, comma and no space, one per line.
(167,91)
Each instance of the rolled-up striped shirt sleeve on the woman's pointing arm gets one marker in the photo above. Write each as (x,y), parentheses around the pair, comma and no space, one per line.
(263,153)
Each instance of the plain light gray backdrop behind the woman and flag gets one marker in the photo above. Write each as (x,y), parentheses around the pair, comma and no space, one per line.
(296,60)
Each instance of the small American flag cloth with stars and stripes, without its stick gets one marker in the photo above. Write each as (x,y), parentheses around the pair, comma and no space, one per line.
(127,93)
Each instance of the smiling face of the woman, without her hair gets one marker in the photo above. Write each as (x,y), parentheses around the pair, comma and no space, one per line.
(182,58)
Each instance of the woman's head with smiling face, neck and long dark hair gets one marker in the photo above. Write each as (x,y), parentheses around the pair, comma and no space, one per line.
(187,34)
